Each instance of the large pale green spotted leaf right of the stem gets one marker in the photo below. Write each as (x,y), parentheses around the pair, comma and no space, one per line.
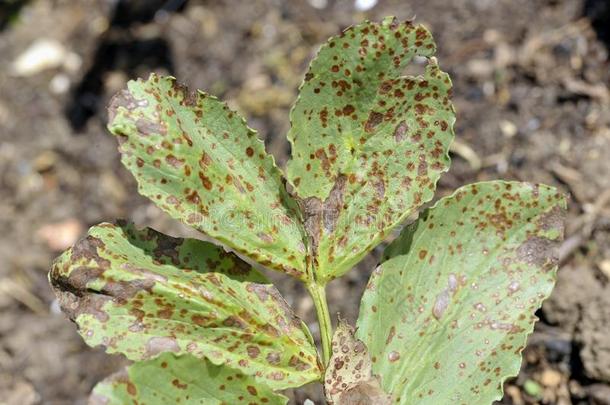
(448,312)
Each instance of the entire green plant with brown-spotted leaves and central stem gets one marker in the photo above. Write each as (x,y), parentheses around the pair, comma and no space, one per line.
(445,315)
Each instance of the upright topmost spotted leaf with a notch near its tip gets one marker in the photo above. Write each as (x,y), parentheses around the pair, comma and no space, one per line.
(368,144)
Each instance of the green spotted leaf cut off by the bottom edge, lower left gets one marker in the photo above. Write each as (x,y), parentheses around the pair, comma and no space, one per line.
(185,380)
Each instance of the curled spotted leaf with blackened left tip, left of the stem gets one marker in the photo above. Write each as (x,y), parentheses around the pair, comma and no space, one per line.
(140,293)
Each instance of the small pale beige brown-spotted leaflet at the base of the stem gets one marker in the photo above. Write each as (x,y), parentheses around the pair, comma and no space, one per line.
(348,379)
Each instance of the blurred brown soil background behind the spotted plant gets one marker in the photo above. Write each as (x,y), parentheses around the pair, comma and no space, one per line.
(531,91)
